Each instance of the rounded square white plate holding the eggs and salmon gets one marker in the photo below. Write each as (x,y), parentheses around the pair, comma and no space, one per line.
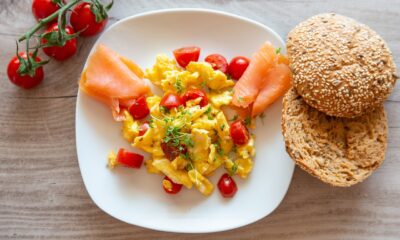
(136,197)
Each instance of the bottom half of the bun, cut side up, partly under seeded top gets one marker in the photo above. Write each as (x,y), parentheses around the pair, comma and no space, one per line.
(338,151)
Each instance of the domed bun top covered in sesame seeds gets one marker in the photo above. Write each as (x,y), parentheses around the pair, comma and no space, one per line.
(340,66)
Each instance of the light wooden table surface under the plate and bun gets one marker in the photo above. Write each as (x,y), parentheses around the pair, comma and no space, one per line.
(42,195)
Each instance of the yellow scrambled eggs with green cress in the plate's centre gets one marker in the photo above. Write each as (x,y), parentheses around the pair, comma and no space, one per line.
(201,135)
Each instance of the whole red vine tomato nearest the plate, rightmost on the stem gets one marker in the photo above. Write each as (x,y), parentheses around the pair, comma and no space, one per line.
(82,18)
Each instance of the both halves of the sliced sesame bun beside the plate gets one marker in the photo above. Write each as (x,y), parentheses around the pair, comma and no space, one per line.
(333,122)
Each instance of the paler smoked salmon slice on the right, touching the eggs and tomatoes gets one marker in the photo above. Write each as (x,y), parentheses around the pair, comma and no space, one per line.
(248,86)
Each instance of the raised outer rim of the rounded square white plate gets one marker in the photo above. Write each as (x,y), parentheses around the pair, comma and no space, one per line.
(175,10)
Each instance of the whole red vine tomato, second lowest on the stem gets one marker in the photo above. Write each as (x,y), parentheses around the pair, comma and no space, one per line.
(64,52)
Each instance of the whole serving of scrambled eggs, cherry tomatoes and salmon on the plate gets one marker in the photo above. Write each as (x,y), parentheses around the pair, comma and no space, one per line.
(200,123)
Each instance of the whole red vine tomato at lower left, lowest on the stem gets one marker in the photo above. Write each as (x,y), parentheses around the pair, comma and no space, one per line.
(25,81)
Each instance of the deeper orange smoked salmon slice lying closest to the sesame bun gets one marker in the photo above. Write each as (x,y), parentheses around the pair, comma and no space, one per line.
(277,82)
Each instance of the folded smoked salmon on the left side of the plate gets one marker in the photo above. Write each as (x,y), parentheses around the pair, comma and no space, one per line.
(112,79)
